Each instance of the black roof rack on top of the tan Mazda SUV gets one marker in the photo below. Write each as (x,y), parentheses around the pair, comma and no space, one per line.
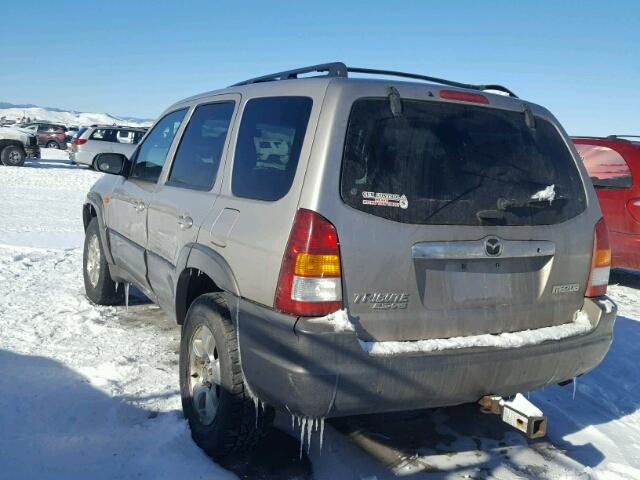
(339,69)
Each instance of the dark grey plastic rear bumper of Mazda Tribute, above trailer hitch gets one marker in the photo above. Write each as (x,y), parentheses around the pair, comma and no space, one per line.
(291,365)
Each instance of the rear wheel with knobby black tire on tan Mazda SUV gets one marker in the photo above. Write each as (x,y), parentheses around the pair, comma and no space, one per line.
(233,430)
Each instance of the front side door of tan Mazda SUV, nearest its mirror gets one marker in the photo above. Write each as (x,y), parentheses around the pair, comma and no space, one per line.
(127,213)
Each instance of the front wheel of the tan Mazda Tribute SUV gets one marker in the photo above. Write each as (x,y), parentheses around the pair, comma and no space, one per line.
(98,285)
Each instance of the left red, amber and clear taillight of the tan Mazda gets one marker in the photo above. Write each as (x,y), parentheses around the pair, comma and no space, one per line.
(310,277)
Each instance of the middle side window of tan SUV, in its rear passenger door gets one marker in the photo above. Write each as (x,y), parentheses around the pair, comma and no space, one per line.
(198,157)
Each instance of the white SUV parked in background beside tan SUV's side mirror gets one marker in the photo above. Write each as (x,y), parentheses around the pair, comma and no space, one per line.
(91,141)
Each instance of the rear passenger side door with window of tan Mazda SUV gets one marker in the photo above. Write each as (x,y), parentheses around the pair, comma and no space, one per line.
(185,198)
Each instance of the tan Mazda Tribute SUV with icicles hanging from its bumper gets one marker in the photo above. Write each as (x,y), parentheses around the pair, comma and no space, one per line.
(425,244)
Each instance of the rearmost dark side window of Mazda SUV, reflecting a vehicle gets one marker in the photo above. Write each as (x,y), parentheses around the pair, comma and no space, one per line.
(269,143)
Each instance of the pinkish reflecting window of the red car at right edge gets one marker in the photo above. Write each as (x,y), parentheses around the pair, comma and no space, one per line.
(606,167)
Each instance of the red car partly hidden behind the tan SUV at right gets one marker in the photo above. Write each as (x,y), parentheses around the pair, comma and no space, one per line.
(613,164)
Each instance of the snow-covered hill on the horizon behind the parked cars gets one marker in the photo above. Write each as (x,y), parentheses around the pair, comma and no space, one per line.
(65,117)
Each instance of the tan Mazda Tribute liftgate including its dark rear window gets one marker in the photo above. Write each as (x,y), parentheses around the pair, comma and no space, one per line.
(459,219)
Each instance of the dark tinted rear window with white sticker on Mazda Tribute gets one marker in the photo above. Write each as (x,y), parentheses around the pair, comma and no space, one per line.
(454,164)
